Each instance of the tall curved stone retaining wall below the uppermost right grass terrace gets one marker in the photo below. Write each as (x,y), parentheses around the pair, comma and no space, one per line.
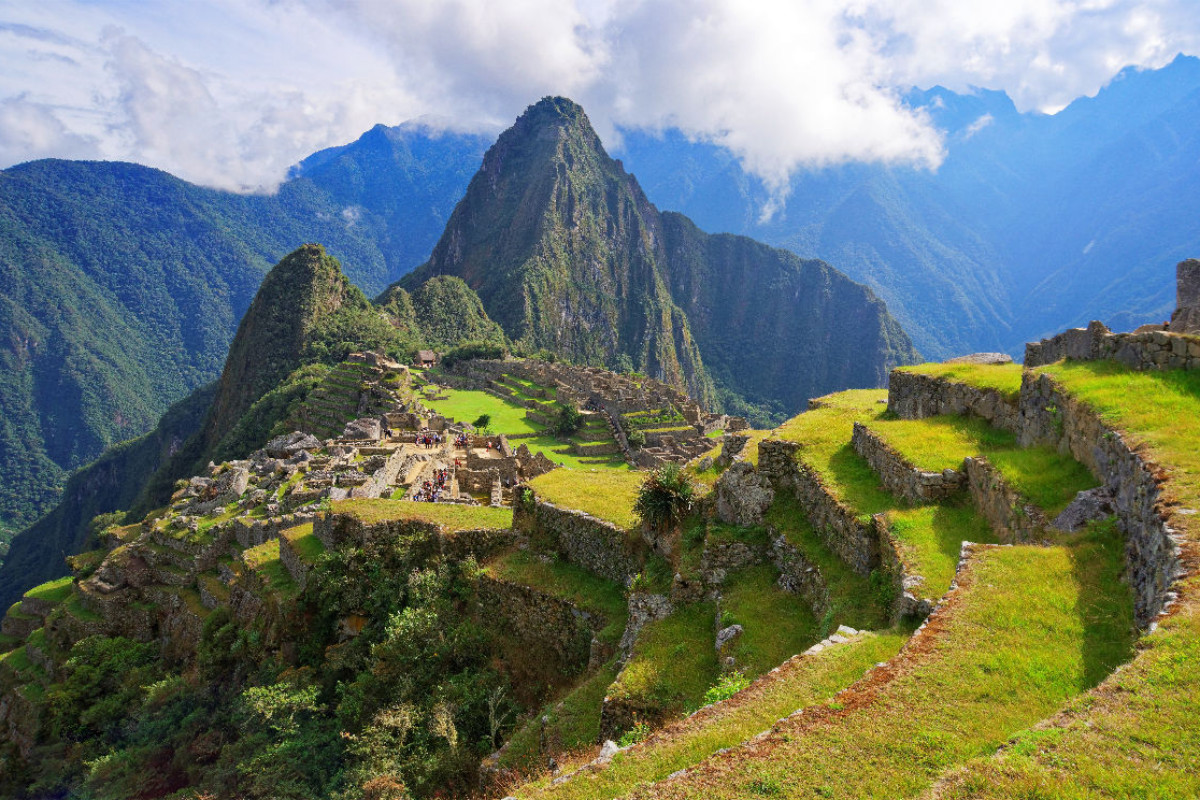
(1052,417)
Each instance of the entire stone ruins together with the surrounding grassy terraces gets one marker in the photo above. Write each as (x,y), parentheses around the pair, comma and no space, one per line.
(998,558)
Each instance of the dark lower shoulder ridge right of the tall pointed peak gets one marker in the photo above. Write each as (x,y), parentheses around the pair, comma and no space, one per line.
(776,328)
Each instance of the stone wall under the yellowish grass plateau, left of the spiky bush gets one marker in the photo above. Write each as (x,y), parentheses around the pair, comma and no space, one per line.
(596,545)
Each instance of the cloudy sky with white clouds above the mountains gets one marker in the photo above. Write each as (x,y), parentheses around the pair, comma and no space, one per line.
(231,93)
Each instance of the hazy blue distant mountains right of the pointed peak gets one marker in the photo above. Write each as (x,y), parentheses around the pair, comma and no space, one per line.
(1034,222)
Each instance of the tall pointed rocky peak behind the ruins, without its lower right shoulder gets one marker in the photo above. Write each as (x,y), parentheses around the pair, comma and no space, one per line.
(563,249)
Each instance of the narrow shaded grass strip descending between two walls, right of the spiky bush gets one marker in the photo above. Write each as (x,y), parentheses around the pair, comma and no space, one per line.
(853,598)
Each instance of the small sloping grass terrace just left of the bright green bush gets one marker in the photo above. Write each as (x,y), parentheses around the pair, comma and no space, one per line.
(674,663)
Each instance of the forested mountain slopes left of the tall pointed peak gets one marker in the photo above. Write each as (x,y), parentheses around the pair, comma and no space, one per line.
(122,286)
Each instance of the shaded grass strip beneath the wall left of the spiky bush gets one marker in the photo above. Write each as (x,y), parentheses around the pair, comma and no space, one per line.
(569,582)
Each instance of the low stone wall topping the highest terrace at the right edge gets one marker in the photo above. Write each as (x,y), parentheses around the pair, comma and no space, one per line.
(1156,350)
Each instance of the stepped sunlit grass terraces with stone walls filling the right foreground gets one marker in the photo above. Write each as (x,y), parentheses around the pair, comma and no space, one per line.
(1012,688)
